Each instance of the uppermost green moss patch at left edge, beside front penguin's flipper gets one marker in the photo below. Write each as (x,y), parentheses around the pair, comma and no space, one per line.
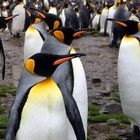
(4,90)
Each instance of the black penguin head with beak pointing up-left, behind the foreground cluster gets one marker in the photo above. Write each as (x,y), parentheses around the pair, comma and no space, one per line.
(53,21)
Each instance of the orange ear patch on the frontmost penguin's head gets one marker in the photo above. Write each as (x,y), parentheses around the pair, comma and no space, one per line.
(30,65)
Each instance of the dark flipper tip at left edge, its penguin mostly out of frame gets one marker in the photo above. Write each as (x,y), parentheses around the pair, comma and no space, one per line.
(2,59)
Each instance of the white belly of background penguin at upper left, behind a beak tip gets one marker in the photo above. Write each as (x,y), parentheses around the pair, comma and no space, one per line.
(18,22)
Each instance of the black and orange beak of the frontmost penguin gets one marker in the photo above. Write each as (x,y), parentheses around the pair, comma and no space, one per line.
(67,58)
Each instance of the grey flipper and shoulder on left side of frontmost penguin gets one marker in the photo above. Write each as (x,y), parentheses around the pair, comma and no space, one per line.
(26,82)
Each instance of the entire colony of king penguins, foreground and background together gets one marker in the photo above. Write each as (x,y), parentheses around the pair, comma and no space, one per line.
(51,99)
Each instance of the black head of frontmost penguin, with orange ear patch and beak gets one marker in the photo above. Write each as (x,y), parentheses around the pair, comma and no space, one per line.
(45,64)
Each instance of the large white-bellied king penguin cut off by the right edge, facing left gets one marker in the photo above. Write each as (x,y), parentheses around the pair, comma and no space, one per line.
(128,73)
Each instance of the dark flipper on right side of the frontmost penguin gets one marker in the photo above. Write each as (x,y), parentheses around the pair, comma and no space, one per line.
(73,113)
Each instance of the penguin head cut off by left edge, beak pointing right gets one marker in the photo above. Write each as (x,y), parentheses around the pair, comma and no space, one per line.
(5,20)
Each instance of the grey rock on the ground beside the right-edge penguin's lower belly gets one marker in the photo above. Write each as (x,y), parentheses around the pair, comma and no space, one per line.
(111,108)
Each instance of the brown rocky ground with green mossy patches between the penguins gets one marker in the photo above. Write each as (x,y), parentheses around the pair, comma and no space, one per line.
(106,121)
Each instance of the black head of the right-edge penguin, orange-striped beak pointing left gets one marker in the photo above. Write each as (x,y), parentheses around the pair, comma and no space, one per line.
(130,27)
